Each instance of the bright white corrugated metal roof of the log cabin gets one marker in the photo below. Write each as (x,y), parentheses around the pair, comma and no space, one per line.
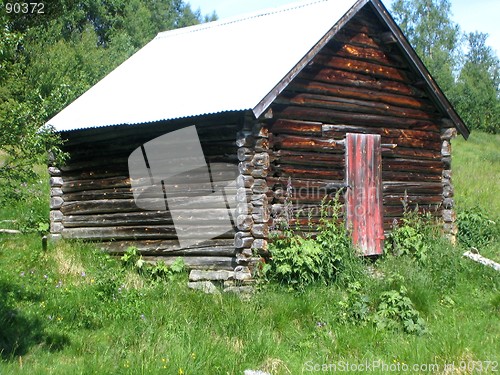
(227,65)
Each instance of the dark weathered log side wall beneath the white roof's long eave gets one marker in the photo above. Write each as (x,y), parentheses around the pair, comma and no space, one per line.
(92,199)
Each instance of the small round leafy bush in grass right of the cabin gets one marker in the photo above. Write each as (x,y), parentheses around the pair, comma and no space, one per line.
(475,228)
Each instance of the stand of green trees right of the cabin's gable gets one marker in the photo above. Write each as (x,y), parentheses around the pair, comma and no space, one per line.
(465,67)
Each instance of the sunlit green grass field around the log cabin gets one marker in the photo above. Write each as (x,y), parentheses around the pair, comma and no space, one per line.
(73,310)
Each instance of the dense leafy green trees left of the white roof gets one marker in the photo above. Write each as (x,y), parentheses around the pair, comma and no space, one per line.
(48,60)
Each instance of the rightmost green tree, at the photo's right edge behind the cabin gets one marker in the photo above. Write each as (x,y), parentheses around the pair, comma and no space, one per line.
(477,93)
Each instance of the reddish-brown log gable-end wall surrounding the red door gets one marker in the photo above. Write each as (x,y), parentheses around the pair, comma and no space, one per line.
(360,82)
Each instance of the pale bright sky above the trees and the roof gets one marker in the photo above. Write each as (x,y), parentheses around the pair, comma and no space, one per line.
(471,15)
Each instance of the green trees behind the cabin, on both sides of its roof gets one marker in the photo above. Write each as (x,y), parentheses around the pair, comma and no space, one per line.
(47,60)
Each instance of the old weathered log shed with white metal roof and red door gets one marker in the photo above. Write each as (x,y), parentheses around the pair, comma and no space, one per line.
(323,94)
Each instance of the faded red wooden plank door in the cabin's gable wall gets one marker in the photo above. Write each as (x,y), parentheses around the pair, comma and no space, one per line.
(364,205)
